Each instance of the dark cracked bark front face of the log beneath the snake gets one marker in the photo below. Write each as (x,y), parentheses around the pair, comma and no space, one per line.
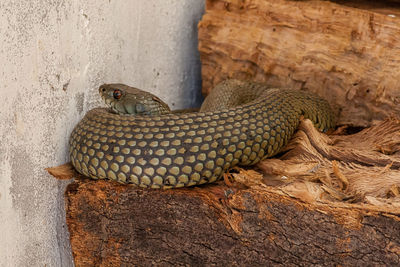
(114,225)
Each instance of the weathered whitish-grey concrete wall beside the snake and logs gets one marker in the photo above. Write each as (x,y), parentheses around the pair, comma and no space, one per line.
(54,54)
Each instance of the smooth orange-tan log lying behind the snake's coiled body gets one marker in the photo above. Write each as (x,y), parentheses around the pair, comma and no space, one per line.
(349,54)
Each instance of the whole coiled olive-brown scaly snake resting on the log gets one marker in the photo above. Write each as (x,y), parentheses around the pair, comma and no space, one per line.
(137,140)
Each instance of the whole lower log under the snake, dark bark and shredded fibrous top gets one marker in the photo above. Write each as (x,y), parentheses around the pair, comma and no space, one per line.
(323,202)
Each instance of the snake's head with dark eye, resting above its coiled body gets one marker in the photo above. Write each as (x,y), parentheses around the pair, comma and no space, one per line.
(124,99)
